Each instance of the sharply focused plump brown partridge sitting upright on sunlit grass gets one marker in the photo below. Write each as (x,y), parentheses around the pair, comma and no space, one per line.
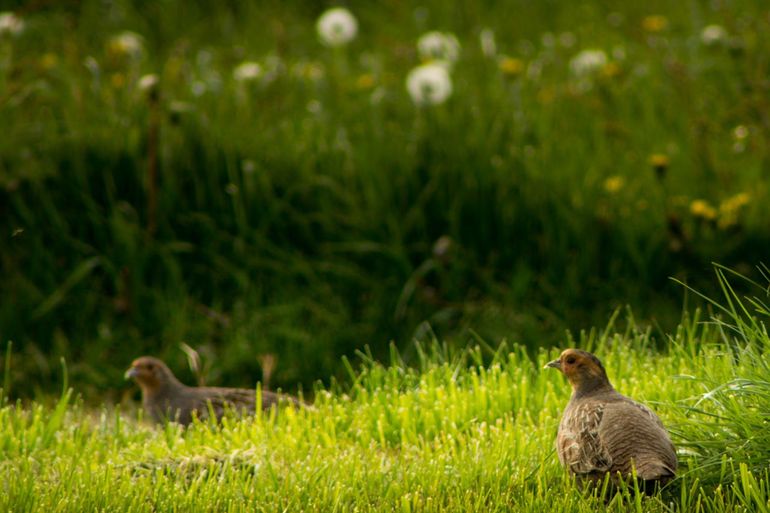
(603,431)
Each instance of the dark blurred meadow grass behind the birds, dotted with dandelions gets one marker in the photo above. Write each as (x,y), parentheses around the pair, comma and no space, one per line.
(315,210)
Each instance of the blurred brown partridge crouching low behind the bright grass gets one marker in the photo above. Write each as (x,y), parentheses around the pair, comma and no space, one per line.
(166,398)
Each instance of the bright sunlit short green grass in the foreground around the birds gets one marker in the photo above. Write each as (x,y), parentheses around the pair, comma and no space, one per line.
(462,431)
